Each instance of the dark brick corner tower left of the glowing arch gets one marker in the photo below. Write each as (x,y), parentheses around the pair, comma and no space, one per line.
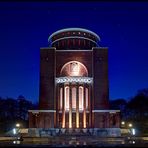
(47,78)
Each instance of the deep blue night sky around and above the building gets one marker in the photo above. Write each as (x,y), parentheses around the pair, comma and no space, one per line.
(25,27)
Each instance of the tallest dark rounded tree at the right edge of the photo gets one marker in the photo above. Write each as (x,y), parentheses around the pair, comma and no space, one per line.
(137,108)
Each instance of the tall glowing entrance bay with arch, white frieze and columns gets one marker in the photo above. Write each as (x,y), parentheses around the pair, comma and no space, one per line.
(74,87)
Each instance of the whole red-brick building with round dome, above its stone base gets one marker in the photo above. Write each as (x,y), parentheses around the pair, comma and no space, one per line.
(74,83)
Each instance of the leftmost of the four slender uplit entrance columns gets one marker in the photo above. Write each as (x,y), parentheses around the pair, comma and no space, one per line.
(63,107)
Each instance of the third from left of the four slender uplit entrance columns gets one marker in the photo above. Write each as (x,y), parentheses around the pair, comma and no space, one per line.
(77,105)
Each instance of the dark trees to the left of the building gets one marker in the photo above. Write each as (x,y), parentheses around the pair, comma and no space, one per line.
(13,111)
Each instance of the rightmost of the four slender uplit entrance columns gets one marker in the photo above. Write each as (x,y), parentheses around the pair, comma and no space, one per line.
(84,107)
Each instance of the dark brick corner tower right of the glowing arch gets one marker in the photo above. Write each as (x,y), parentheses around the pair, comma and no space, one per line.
(100,75)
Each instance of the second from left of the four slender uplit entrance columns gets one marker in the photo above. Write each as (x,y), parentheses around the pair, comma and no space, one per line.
(70,106)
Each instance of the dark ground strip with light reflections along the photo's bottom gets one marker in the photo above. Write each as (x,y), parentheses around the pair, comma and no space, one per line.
(75,141)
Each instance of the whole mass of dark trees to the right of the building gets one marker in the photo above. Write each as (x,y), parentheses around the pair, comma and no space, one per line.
(135,110)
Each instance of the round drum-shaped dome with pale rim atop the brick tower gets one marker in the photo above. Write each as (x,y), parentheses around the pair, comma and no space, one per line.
(73,38)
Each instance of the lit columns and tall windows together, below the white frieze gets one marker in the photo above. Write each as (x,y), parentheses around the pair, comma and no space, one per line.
(82,97)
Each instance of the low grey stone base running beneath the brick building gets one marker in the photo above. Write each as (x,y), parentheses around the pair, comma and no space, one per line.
(100,132)
